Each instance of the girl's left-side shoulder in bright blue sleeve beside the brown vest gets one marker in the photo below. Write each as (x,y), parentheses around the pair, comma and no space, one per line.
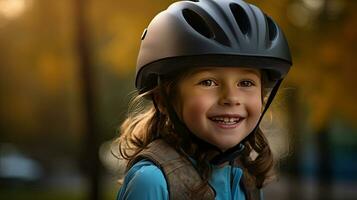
(144,180)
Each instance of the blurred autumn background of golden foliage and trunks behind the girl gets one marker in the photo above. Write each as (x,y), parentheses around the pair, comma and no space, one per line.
(67,67)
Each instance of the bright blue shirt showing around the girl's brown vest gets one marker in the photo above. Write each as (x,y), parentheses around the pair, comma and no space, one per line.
(145,181)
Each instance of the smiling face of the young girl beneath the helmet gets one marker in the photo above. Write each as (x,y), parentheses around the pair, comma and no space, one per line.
(220,105)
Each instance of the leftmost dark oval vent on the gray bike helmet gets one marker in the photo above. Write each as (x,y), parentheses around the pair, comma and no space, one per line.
(197,23)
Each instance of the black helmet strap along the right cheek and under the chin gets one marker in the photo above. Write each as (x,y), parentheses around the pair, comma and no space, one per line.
(233,152)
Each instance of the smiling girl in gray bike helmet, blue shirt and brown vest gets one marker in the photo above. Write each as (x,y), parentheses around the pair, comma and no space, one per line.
(210,70)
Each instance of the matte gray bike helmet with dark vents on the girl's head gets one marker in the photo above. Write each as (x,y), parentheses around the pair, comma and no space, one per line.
(219,33)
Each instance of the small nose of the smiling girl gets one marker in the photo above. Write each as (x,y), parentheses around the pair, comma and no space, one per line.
(229,96)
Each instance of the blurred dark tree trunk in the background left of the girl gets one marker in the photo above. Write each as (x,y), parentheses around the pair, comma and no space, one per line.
(90,159)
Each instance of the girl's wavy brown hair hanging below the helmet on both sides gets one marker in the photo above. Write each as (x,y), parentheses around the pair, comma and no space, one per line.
(145,123)
